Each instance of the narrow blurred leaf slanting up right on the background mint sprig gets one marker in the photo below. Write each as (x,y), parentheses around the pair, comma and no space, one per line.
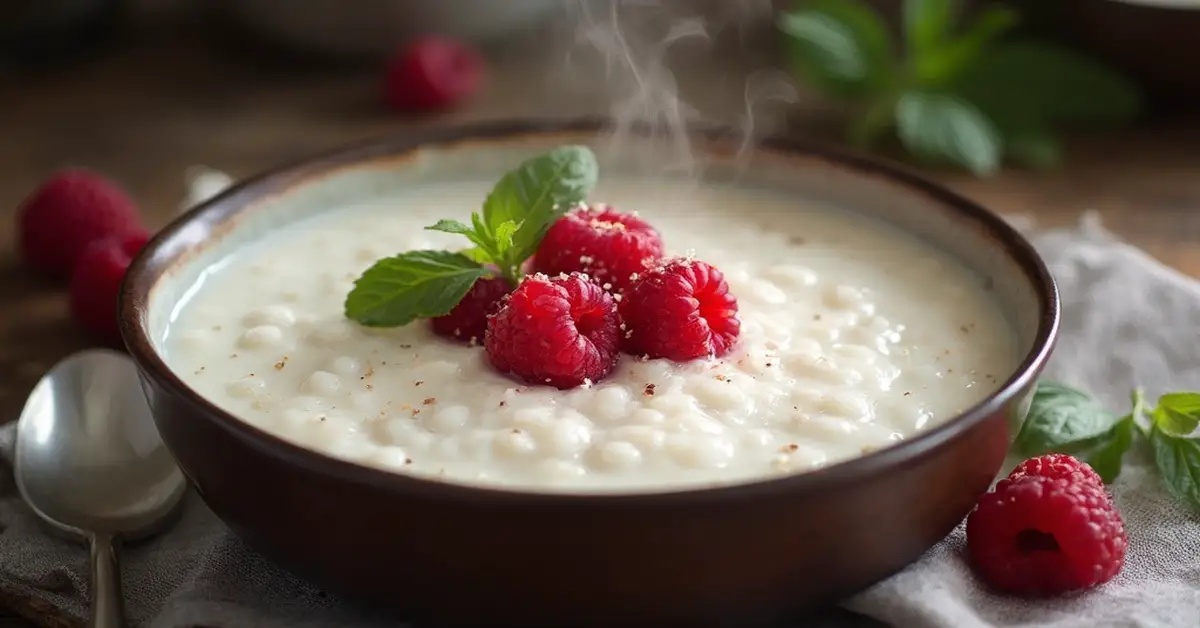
(943,67)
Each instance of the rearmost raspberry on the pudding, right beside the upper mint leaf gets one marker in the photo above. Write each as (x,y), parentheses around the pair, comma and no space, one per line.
(605,244)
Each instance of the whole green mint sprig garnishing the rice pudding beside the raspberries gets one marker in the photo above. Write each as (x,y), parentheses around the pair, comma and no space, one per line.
(514,219)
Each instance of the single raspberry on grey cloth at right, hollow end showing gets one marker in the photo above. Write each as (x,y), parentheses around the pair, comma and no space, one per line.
(1040,536)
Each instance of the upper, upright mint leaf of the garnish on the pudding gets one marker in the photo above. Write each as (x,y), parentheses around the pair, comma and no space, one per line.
(533,196)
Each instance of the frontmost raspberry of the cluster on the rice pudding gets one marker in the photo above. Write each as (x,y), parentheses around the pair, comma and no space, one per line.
(561,331)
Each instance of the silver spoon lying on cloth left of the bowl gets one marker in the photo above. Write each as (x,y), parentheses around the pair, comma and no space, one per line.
(91,463)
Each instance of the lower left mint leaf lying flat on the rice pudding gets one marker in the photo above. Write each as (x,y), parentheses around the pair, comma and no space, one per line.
(399,290)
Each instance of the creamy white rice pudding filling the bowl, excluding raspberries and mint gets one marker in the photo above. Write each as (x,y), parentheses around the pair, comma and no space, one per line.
(854,337)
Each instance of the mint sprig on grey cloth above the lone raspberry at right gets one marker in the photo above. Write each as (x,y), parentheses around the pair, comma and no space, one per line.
(1063,420)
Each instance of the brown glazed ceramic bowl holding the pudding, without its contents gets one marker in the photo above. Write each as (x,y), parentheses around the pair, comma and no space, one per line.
(454,554)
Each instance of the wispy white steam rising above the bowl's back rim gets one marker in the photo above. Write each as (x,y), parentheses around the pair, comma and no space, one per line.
(641,43)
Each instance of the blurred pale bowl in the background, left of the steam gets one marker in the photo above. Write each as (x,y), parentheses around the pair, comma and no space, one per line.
(373,28)
